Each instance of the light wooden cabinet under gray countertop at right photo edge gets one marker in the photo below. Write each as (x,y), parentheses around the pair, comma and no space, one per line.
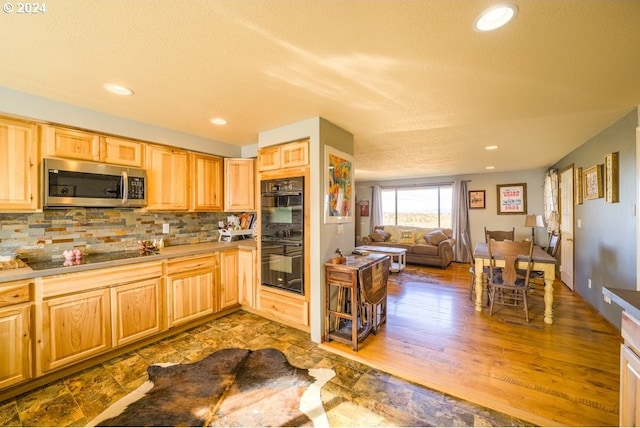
(630,372)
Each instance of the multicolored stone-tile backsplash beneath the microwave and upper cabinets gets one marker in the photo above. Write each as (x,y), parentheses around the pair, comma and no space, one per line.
(45,235)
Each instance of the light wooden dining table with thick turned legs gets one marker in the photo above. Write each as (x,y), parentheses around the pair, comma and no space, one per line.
(541,261)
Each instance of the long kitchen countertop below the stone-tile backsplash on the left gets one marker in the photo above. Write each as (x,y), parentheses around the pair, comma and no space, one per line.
(164,253)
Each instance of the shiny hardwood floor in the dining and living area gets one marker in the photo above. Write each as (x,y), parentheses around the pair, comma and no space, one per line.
(566,373)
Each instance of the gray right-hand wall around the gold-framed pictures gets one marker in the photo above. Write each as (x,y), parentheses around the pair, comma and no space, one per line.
(605,244)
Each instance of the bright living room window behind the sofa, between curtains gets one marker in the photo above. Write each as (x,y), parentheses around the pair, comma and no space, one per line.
(424,206)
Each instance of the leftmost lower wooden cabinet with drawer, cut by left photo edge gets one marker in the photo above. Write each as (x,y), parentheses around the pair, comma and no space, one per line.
(15,332)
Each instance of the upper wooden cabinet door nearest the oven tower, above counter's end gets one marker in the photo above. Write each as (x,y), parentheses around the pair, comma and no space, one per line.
(239,185)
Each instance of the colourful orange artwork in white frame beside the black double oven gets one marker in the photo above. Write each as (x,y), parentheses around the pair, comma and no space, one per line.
(339,199)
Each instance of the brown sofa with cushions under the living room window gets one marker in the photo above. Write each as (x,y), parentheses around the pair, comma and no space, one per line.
(425,246)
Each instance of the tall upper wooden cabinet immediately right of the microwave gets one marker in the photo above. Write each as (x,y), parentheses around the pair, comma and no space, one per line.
(167,176)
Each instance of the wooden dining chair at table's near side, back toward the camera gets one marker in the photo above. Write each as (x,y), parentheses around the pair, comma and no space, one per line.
(507,287)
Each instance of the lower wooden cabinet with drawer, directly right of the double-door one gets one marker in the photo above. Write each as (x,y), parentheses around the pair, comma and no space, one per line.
(192,283)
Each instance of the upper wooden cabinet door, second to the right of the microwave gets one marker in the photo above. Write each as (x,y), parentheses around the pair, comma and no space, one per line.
(206,182)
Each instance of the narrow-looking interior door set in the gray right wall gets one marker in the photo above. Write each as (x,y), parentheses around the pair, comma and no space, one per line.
(566,227)
